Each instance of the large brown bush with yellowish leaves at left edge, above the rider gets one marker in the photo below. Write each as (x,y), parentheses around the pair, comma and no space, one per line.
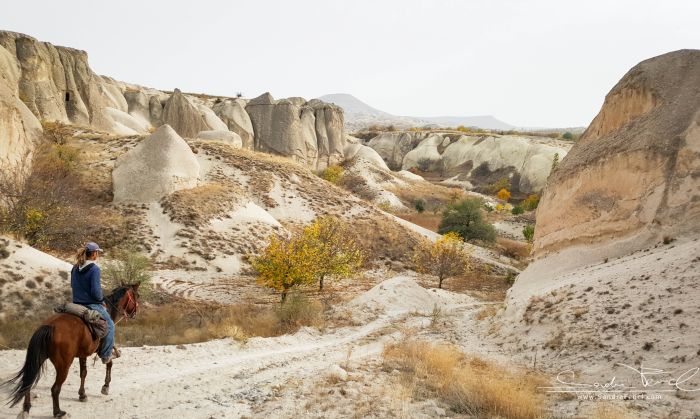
(52,207)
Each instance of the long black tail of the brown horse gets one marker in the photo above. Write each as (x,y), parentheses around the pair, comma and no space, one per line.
(37,354)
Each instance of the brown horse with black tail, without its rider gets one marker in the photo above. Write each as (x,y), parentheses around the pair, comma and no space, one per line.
(61,338)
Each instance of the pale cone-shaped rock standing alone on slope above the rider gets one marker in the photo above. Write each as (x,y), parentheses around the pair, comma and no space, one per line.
(161,164)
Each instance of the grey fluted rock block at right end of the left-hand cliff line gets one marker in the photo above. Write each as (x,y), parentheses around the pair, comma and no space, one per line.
(311,133)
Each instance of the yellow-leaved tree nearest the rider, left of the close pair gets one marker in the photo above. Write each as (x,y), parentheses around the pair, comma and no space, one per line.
(286,263)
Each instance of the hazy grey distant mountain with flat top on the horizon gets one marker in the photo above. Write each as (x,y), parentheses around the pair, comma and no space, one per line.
(359,115)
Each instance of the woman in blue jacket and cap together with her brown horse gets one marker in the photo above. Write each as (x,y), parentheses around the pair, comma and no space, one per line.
(64,337)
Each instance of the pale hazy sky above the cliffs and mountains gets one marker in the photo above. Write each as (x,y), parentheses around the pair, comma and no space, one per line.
(529,63)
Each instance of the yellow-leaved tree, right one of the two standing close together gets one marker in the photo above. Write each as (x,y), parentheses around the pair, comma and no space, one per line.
(339,255)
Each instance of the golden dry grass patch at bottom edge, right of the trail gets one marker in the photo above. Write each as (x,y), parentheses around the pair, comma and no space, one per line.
(469,385)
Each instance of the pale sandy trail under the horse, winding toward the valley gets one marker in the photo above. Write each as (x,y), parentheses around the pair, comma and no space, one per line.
(217,379)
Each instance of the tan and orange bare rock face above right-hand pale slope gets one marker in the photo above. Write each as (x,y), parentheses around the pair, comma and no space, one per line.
(635,171)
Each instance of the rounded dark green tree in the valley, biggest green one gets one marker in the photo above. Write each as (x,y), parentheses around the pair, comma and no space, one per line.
(466,219)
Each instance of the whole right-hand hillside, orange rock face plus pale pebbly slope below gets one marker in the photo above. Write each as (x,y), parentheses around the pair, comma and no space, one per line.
(616,279)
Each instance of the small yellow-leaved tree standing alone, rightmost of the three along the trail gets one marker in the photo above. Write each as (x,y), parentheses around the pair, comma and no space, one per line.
(445,258)
